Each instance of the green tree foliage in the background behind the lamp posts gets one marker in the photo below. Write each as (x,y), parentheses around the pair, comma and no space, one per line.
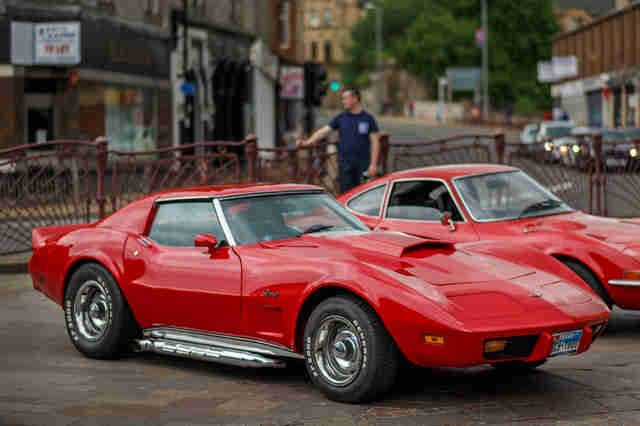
(426,37)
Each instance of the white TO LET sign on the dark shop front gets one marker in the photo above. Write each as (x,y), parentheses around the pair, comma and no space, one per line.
(57,43)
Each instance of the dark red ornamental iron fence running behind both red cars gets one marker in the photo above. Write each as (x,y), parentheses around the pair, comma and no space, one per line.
(64,182)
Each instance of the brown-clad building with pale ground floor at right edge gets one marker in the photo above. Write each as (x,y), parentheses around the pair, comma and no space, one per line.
(605,91)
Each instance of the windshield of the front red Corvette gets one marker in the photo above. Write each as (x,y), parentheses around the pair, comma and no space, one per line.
(276,217)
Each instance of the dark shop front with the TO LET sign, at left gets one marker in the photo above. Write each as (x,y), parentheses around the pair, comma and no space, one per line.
(82,77)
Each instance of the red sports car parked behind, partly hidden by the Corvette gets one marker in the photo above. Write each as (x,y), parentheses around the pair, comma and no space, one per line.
(493,202)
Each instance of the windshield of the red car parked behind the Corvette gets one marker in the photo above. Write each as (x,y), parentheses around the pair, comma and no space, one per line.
(507,196)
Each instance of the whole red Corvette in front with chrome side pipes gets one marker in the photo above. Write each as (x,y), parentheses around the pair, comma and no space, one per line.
(257,275)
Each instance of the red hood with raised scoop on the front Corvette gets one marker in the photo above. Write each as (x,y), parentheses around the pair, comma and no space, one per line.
(465,281)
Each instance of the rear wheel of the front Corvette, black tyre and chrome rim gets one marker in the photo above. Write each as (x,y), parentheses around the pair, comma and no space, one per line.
(98,319)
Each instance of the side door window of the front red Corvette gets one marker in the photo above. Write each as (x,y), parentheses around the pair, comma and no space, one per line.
(176,224)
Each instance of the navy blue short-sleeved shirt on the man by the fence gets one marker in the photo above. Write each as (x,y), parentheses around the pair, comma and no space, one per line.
(354,130)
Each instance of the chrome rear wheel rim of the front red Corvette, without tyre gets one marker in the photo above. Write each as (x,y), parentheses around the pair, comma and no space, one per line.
(91,311)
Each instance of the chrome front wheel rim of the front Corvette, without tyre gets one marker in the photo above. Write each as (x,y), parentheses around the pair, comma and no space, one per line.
(337,350)
